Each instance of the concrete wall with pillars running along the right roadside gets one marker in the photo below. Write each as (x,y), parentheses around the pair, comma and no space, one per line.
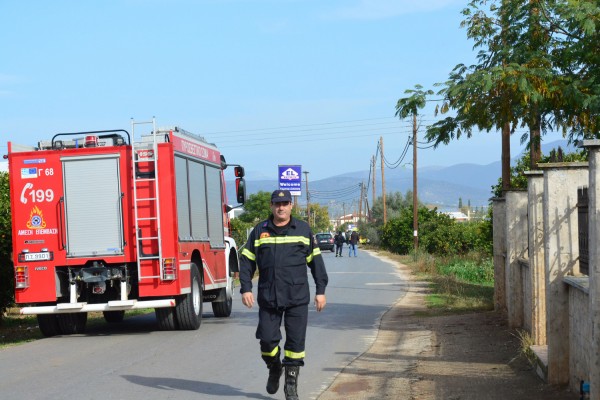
(541,287)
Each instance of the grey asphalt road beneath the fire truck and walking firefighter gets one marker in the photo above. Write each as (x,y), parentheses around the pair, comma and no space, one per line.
(221,360)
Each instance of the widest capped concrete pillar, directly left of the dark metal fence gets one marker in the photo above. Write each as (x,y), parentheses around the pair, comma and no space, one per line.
(561,249)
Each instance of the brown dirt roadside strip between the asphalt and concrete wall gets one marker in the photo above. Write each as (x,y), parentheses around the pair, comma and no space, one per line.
(455,357)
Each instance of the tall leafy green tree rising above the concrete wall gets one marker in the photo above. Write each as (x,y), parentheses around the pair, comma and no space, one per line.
(515,82)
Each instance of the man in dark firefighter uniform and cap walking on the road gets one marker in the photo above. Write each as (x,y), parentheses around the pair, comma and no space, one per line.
(282,247)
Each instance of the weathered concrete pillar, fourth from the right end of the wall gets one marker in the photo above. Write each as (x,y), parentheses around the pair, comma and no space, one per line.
(516,248)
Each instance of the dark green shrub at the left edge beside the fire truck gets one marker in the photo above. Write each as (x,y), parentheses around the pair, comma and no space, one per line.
(6,266)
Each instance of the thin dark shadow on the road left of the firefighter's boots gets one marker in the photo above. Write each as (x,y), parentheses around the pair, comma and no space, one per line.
(208,388)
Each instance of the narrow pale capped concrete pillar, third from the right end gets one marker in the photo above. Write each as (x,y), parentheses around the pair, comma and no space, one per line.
(535,196)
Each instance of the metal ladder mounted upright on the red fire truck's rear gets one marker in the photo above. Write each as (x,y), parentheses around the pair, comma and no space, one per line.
(146,152)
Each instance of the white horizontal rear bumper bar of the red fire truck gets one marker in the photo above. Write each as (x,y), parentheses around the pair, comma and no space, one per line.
(117,305)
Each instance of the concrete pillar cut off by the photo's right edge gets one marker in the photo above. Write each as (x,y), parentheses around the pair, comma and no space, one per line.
(594,263)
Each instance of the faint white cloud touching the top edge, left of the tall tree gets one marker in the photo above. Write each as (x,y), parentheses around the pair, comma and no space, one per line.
(382,9)
